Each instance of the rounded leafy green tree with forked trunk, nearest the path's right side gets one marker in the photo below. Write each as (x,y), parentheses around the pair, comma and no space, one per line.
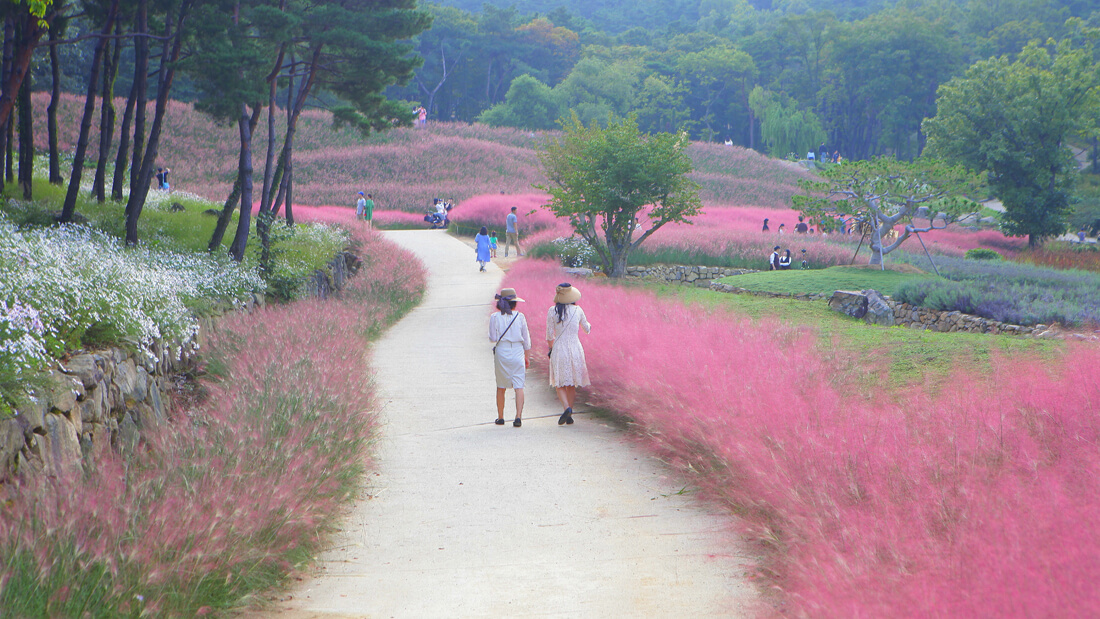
(614,183)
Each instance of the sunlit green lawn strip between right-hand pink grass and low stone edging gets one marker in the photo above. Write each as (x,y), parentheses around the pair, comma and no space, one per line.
(905,357)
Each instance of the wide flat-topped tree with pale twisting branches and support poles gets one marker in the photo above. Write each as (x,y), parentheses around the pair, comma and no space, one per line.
(884,193)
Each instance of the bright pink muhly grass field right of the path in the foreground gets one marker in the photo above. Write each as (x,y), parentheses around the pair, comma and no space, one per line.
(976,501)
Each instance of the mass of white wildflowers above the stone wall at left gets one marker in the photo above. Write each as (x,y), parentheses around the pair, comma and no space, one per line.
(75,279)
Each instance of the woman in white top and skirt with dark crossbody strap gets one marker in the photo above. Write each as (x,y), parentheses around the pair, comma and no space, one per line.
(508,329)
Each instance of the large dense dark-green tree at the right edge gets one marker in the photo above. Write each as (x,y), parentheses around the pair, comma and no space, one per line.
(1011,120)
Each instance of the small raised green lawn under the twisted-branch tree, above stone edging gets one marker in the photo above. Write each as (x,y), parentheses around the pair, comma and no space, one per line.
(822,281)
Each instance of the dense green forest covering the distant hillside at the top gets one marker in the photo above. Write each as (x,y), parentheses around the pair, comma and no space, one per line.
(859,76)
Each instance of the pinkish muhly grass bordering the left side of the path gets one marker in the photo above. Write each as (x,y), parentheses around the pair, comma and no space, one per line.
(227,498)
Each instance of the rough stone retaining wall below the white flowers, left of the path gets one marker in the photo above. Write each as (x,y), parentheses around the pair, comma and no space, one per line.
(101,401)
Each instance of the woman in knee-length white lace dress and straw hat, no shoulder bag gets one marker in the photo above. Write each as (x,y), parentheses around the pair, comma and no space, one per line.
(568,370)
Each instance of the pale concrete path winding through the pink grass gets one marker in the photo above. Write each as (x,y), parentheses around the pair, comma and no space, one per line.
(464,518)
